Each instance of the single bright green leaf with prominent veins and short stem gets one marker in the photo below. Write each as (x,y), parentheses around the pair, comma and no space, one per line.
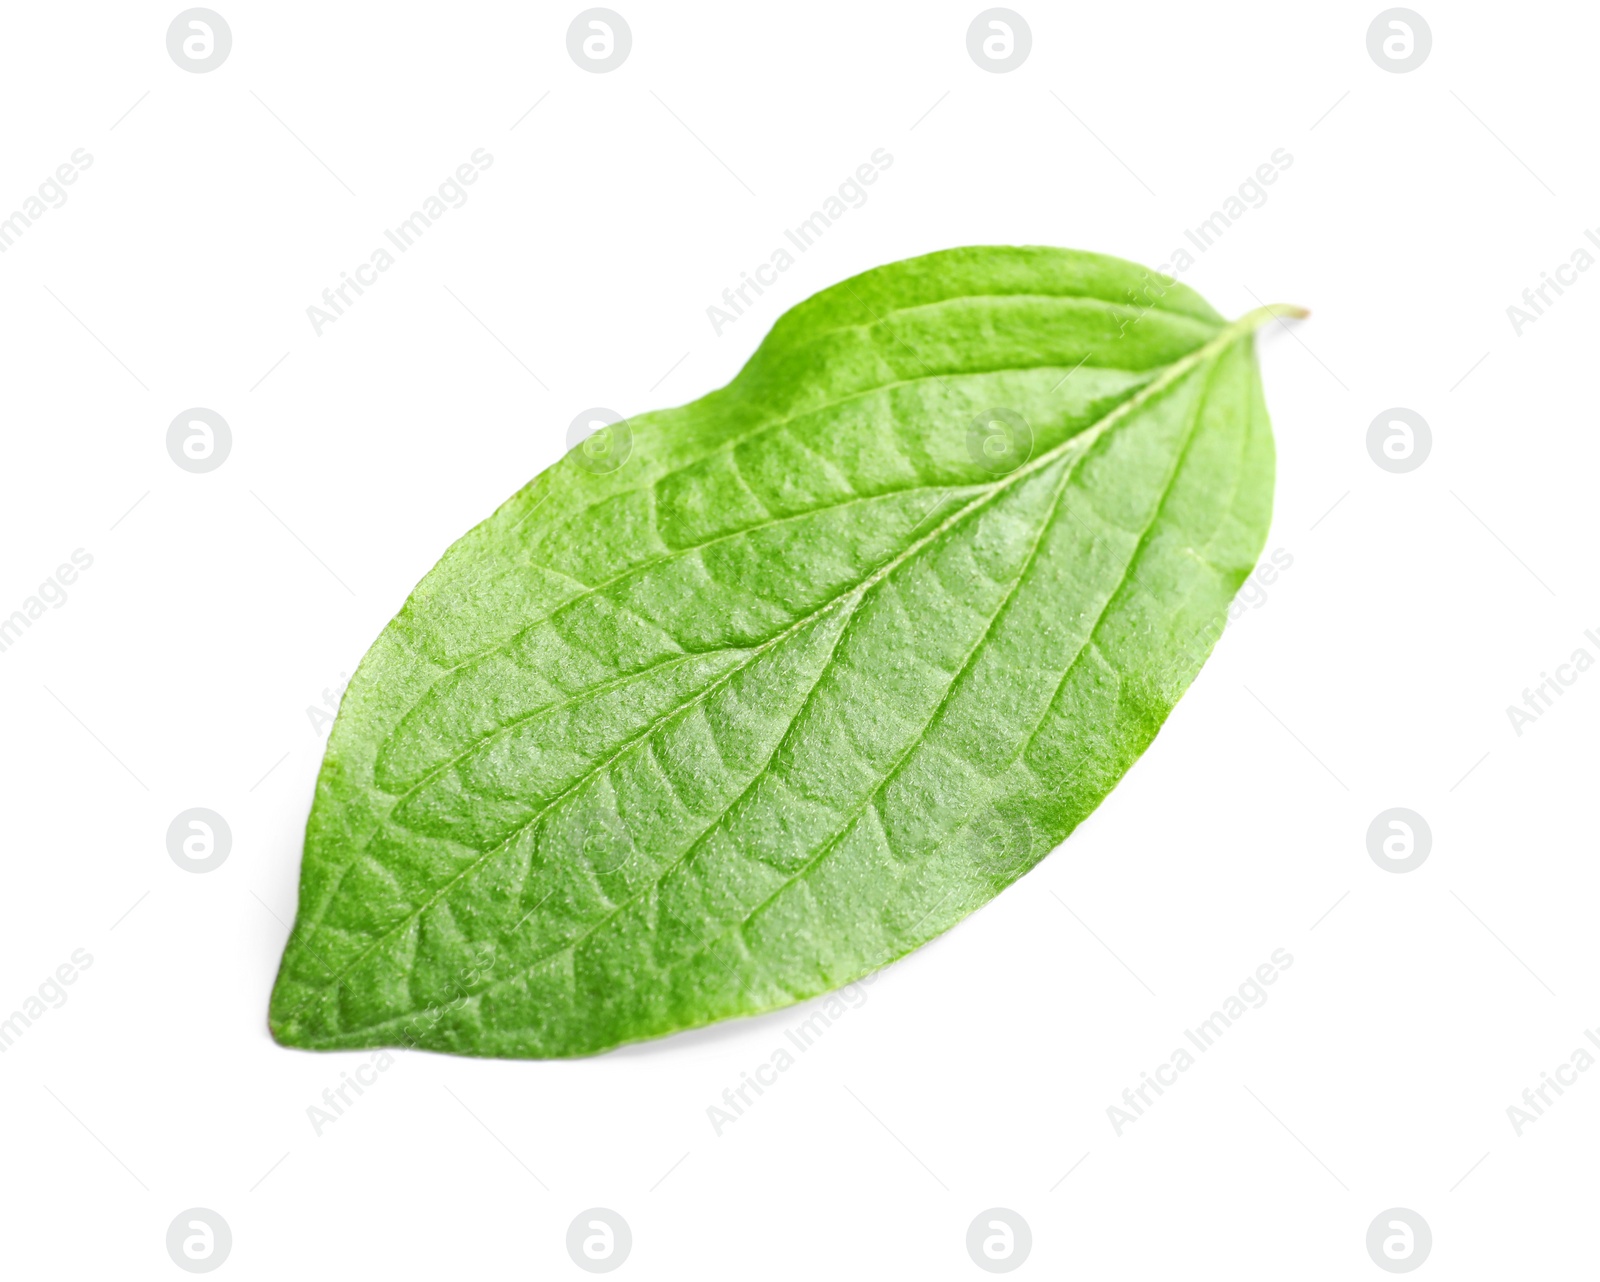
(782,684)
